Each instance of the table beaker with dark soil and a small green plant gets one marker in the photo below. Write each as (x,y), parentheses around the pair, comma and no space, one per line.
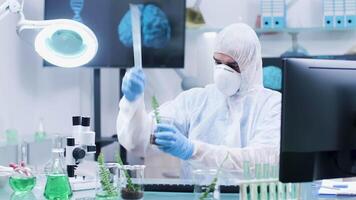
(131,181)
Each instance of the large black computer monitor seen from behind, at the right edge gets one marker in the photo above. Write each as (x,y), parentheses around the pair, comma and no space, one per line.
(318,132)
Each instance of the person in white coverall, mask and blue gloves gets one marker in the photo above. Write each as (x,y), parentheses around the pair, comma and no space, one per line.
(235,116)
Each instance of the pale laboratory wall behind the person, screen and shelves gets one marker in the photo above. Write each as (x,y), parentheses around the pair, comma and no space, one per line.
(29,92)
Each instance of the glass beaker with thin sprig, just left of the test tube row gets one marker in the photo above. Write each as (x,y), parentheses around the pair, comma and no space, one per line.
(206,184)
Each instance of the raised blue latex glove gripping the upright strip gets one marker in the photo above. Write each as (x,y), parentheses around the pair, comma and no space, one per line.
(133,84)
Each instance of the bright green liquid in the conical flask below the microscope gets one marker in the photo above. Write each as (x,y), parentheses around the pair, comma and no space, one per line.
(58,187)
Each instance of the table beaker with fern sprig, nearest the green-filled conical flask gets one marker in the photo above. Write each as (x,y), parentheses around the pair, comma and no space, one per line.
(107,182)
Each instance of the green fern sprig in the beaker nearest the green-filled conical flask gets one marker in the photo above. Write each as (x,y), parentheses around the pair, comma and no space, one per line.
(105,179)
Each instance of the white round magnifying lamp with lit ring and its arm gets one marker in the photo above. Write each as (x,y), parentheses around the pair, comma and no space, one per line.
(61,42)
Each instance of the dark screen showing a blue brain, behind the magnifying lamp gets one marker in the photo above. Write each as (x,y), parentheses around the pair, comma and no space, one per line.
(163,30)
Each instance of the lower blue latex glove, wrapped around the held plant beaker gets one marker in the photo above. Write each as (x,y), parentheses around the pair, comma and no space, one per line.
(170,140)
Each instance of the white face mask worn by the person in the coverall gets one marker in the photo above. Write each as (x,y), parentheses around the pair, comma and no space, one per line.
(227,80)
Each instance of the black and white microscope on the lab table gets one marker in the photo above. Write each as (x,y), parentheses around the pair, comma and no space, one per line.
(81,144)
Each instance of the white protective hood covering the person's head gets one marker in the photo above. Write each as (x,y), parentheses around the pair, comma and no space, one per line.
(240,42)
